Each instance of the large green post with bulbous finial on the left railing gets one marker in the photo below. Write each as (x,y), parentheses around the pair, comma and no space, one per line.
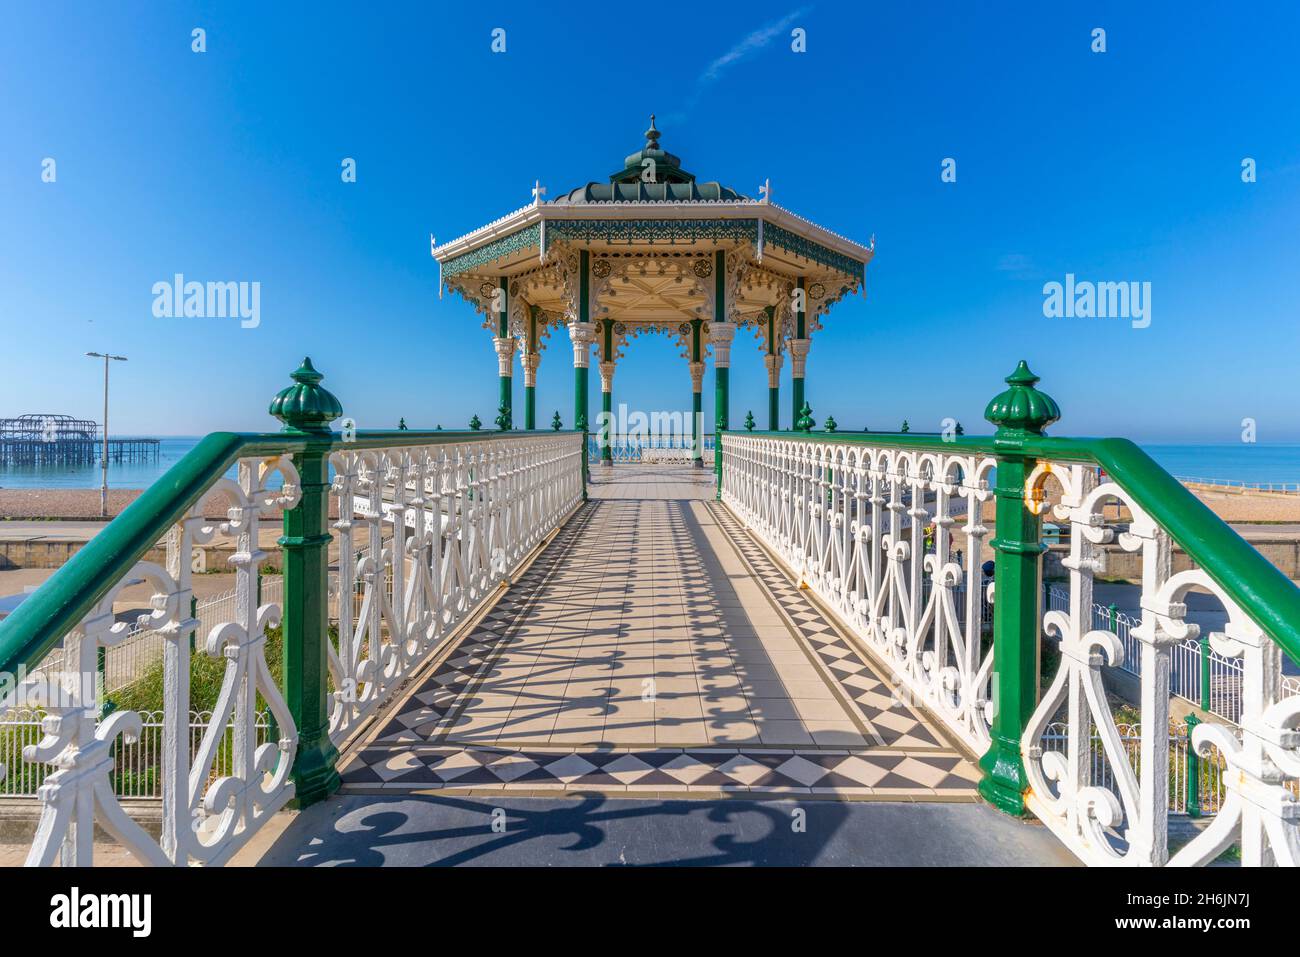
(307,409)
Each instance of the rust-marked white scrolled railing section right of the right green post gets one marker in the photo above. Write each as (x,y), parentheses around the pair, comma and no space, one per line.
(1126,822)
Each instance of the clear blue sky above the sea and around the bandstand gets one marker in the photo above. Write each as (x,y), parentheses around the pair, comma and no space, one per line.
(226,166)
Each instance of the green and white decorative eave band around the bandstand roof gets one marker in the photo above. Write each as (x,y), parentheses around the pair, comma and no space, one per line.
(536,226)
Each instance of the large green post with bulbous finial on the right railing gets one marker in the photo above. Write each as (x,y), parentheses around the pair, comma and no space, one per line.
(1020,414)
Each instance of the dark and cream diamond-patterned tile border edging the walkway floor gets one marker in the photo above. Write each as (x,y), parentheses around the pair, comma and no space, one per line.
(410,751)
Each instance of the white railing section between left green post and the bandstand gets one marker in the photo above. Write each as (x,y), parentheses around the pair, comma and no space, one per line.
(470,513)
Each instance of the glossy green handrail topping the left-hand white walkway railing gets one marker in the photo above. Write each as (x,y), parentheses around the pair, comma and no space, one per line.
(42,621)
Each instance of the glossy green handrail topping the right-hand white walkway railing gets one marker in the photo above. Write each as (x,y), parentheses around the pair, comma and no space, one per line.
(1268,596)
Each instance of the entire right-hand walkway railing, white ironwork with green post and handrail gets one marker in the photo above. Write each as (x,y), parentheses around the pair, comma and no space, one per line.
(831,508)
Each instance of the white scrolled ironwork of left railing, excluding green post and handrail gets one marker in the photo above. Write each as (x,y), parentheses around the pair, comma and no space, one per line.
(444,526)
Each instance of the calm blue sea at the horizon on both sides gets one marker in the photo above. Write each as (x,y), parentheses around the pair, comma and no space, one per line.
(1251,465)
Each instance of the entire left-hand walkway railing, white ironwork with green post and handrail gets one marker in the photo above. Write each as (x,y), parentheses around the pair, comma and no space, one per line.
(441,521)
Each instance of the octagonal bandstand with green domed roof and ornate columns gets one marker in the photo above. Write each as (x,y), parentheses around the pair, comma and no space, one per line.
(653,250)
